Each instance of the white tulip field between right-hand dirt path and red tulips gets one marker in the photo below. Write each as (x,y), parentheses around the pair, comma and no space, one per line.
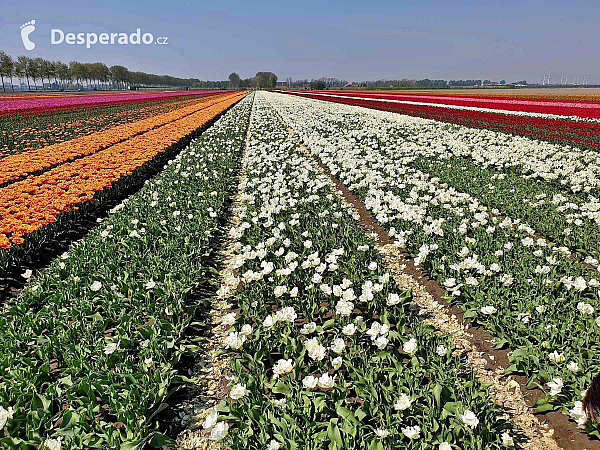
(493,218)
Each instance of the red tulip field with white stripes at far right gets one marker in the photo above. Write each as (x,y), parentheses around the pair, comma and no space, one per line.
(563,121)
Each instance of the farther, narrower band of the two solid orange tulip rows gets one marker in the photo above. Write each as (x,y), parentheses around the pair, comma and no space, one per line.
(17,167)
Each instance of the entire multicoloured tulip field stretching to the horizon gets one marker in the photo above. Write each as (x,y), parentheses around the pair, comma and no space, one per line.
(241,265)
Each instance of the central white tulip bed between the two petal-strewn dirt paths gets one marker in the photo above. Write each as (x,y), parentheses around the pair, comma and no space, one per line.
(326,351)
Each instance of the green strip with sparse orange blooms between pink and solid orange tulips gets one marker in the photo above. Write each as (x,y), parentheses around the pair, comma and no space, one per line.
(25,132)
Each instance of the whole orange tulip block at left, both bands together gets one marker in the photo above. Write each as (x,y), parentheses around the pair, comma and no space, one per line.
(61,178)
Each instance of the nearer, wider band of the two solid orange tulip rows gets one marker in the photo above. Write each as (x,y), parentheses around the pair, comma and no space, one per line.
(29,205)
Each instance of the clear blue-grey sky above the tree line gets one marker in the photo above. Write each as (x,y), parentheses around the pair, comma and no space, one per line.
(353,40)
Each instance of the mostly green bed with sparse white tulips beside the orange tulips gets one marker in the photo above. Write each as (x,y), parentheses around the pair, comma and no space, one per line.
(88,348)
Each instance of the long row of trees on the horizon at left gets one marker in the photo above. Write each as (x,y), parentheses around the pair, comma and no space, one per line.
(60,75)
